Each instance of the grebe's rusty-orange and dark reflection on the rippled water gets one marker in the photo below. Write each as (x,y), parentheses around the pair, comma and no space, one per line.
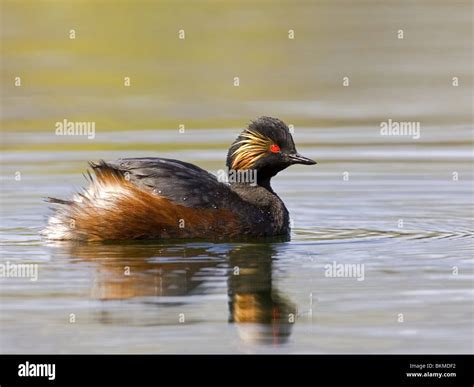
(126,271)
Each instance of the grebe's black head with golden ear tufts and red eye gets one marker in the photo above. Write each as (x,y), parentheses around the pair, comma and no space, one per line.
(265,146)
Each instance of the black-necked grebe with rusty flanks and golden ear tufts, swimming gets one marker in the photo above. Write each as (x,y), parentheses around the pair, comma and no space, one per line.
(158,198)
